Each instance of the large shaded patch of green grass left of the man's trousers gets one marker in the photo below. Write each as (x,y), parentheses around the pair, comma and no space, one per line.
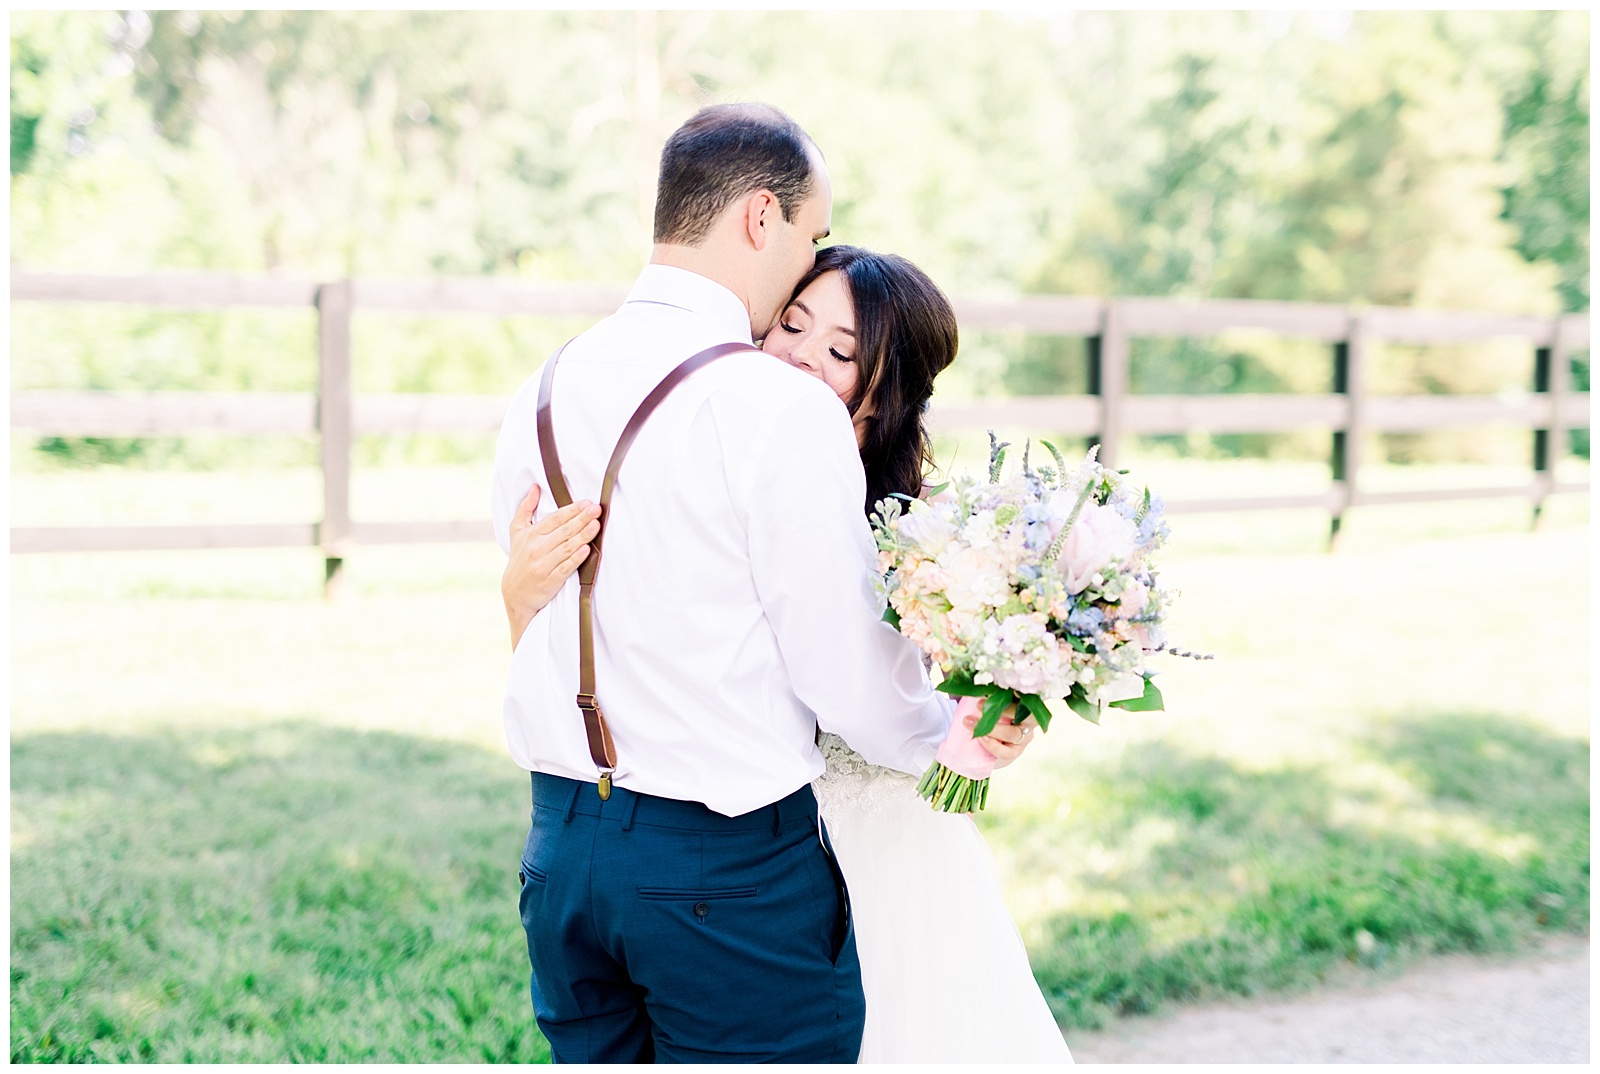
(282,894)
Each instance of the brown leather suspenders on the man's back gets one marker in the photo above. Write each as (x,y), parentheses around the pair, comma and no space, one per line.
(601,747)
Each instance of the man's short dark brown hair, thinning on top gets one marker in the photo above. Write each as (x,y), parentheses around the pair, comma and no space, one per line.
(721,154)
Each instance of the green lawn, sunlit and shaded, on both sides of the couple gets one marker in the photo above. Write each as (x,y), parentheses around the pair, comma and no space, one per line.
(254,827)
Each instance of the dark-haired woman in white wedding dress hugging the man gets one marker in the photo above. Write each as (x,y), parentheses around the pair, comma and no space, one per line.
(943,966)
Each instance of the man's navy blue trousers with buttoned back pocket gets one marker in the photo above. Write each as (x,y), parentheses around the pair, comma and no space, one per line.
(665,932)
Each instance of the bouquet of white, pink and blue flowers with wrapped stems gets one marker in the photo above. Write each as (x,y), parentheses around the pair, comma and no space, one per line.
(1022,591)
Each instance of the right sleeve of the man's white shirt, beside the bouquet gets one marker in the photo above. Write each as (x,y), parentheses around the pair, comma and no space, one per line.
(814,558)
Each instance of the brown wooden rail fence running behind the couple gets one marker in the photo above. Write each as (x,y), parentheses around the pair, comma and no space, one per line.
(1106,412)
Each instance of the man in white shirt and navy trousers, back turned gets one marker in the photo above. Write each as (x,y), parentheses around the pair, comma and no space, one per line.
(697,913)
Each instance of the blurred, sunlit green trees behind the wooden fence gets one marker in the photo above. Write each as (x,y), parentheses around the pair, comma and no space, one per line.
(1431,159)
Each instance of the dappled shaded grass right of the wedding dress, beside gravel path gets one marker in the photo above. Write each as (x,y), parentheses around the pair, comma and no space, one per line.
(1474,836)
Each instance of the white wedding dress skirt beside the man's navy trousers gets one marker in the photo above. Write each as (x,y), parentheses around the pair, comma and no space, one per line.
(942,961)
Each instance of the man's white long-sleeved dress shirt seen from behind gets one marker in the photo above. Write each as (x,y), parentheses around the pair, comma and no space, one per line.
(734,607)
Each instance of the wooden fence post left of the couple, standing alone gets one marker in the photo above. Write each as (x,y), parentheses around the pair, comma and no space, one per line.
(334,425)
